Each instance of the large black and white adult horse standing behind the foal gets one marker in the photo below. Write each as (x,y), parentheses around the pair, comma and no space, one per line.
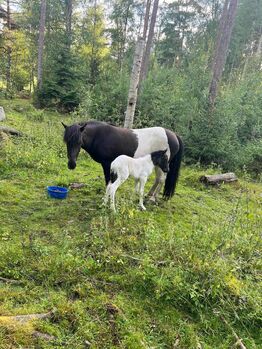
(105,142)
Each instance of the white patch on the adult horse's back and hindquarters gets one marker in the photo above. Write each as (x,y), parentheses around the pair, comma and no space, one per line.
(151,139)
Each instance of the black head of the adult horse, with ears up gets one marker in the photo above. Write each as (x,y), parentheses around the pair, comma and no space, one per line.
(73,140)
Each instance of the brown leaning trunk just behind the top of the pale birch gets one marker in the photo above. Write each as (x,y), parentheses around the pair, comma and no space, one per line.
(146,56)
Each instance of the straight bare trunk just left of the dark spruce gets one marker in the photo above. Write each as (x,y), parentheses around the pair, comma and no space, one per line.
(41,44)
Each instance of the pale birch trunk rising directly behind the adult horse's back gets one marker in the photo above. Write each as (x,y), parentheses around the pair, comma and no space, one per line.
(132,94)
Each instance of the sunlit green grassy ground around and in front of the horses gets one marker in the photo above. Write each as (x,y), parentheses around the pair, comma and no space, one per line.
(184,274)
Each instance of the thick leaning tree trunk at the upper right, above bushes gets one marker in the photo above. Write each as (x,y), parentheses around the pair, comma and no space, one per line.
(223,40)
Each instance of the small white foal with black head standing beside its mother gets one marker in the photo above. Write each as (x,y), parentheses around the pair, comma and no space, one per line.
(140,168)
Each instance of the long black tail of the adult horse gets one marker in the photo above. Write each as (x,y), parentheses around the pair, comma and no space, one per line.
(173,174)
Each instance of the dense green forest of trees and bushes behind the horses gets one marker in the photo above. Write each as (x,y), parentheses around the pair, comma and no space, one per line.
(87,57)
